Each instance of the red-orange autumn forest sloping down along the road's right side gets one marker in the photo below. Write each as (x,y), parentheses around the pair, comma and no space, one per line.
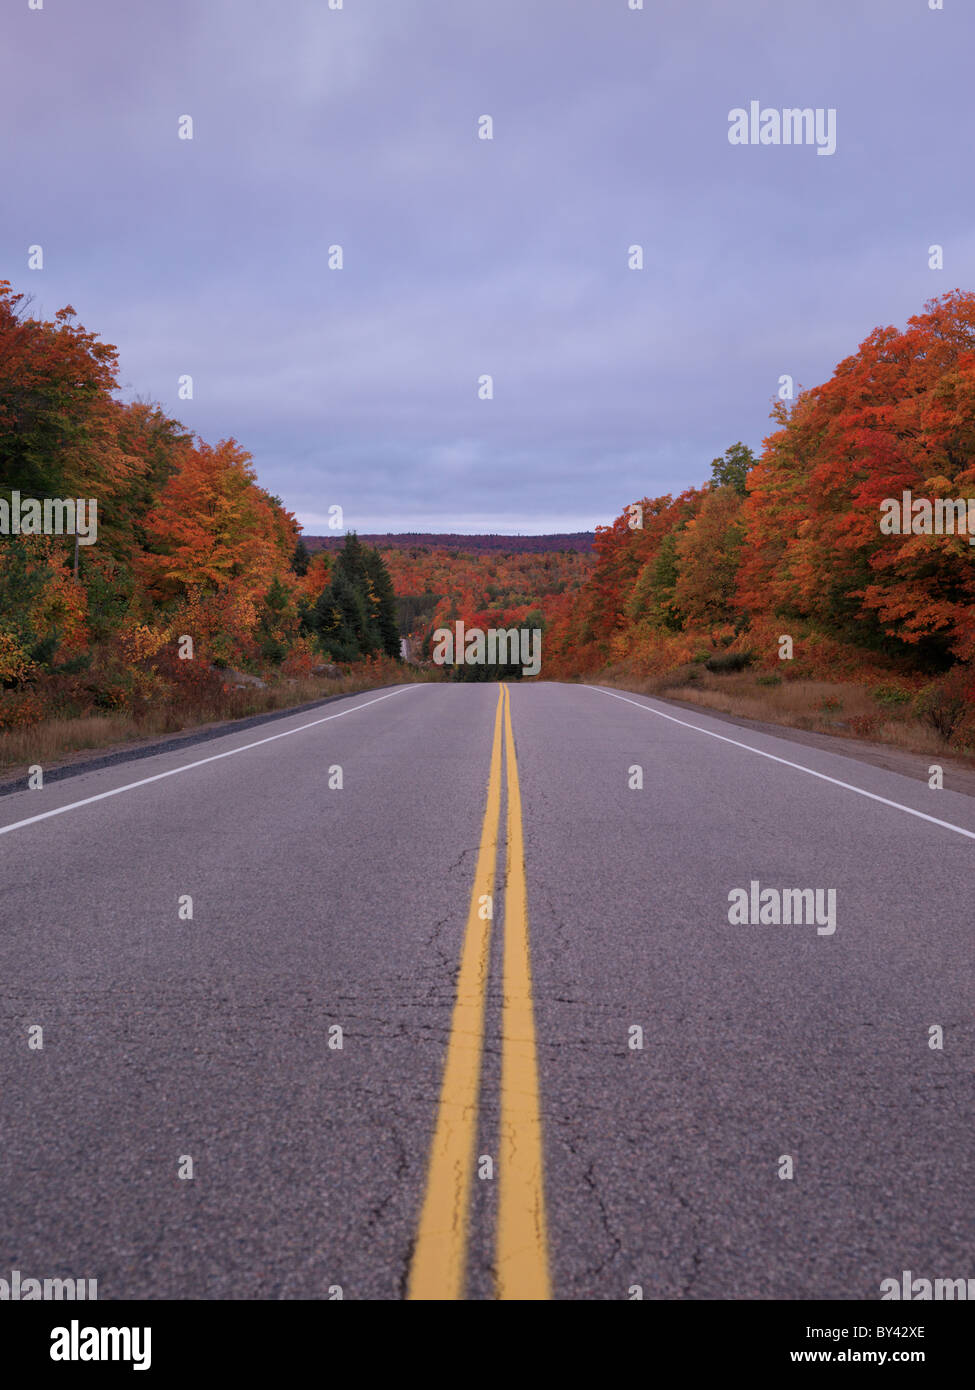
(781,565)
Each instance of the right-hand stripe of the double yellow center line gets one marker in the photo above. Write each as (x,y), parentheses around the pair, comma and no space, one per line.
(522,1236)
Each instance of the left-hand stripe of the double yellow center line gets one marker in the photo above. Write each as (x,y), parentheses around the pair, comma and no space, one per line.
(442,1246)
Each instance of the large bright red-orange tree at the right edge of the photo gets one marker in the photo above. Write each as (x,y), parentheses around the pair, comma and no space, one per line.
(896,416)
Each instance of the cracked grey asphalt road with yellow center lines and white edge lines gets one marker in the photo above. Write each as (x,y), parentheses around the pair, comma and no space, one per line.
(321,1168)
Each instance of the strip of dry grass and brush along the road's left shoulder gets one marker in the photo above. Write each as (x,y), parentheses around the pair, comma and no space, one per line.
(56,740)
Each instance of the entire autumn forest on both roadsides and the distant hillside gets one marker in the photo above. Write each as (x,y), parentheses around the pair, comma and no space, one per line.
(201,598)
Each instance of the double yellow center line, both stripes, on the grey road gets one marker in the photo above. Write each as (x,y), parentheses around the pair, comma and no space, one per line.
(522,1245)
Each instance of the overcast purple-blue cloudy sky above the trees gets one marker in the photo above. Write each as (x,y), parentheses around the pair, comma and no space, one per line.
(462,256)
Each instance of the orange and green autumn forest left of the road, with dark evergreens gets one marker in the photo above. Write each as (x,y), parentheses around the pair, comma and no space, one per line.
(197,598)
